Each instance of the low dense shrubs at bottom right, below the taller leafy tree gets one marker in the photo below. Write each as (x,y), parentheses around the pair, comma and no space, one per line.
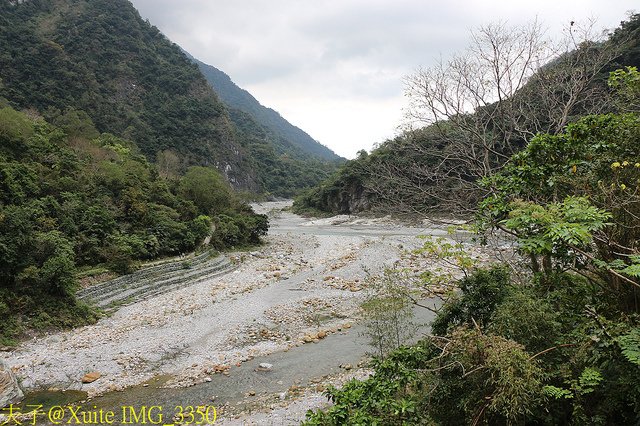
(533,357)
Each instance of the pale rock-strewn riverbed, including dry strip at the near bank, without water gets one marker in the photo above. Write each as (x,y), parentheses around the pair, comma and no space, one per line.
(303,286)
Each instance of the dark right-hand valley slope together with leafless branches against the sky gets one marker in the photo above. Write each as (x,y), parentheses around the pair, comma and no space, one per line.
(438,167)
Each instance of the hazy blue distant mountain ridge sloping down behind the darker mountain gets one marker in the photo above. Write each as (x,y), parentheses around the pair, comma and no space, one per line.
(290,137)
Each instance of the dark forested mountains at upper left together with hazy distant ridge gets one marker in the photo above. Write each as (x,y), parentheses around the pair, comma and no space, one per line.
(95,67)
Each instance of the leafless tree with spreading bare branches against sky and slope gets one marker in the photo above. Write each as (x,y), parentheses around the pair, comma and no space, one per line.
(482,106)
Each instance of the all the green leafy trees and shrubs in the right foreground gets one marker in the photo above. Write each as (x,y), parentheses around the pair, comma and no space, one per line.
(555,337)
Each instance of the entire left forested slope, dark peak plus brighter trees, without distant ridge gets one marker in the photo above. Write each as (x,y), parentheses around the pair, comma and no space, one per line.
(90,95)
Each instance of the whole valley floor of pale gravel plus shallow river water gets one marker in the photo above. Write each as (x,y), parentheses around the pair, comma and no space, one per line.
(295,301)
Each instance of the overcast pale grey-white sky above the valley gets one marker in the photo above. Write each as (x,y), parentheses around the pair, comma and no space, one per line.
(334,67)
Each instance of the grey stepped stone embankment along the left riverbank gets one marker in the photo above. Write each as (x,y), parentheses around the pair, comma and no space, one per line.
(155,280)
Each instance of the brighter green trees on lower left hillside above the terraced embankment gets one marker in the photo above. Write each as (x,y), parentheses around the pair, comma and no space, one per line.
(72,199)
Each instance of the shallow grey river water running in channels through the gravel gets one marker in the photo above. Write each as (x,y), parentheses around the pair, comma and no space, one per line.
(296,366)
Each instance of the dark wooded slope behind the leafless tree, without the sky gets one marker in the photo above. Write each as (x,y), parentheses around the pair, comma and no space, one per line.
(427,170)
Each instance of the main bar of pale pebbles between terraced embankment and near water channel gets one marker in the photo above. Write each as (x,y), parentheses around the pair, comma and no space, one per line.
(83,348)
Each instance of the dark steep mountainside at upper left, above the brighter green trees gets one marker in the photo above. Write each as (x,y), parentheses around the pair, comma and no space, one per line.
(101,57)
